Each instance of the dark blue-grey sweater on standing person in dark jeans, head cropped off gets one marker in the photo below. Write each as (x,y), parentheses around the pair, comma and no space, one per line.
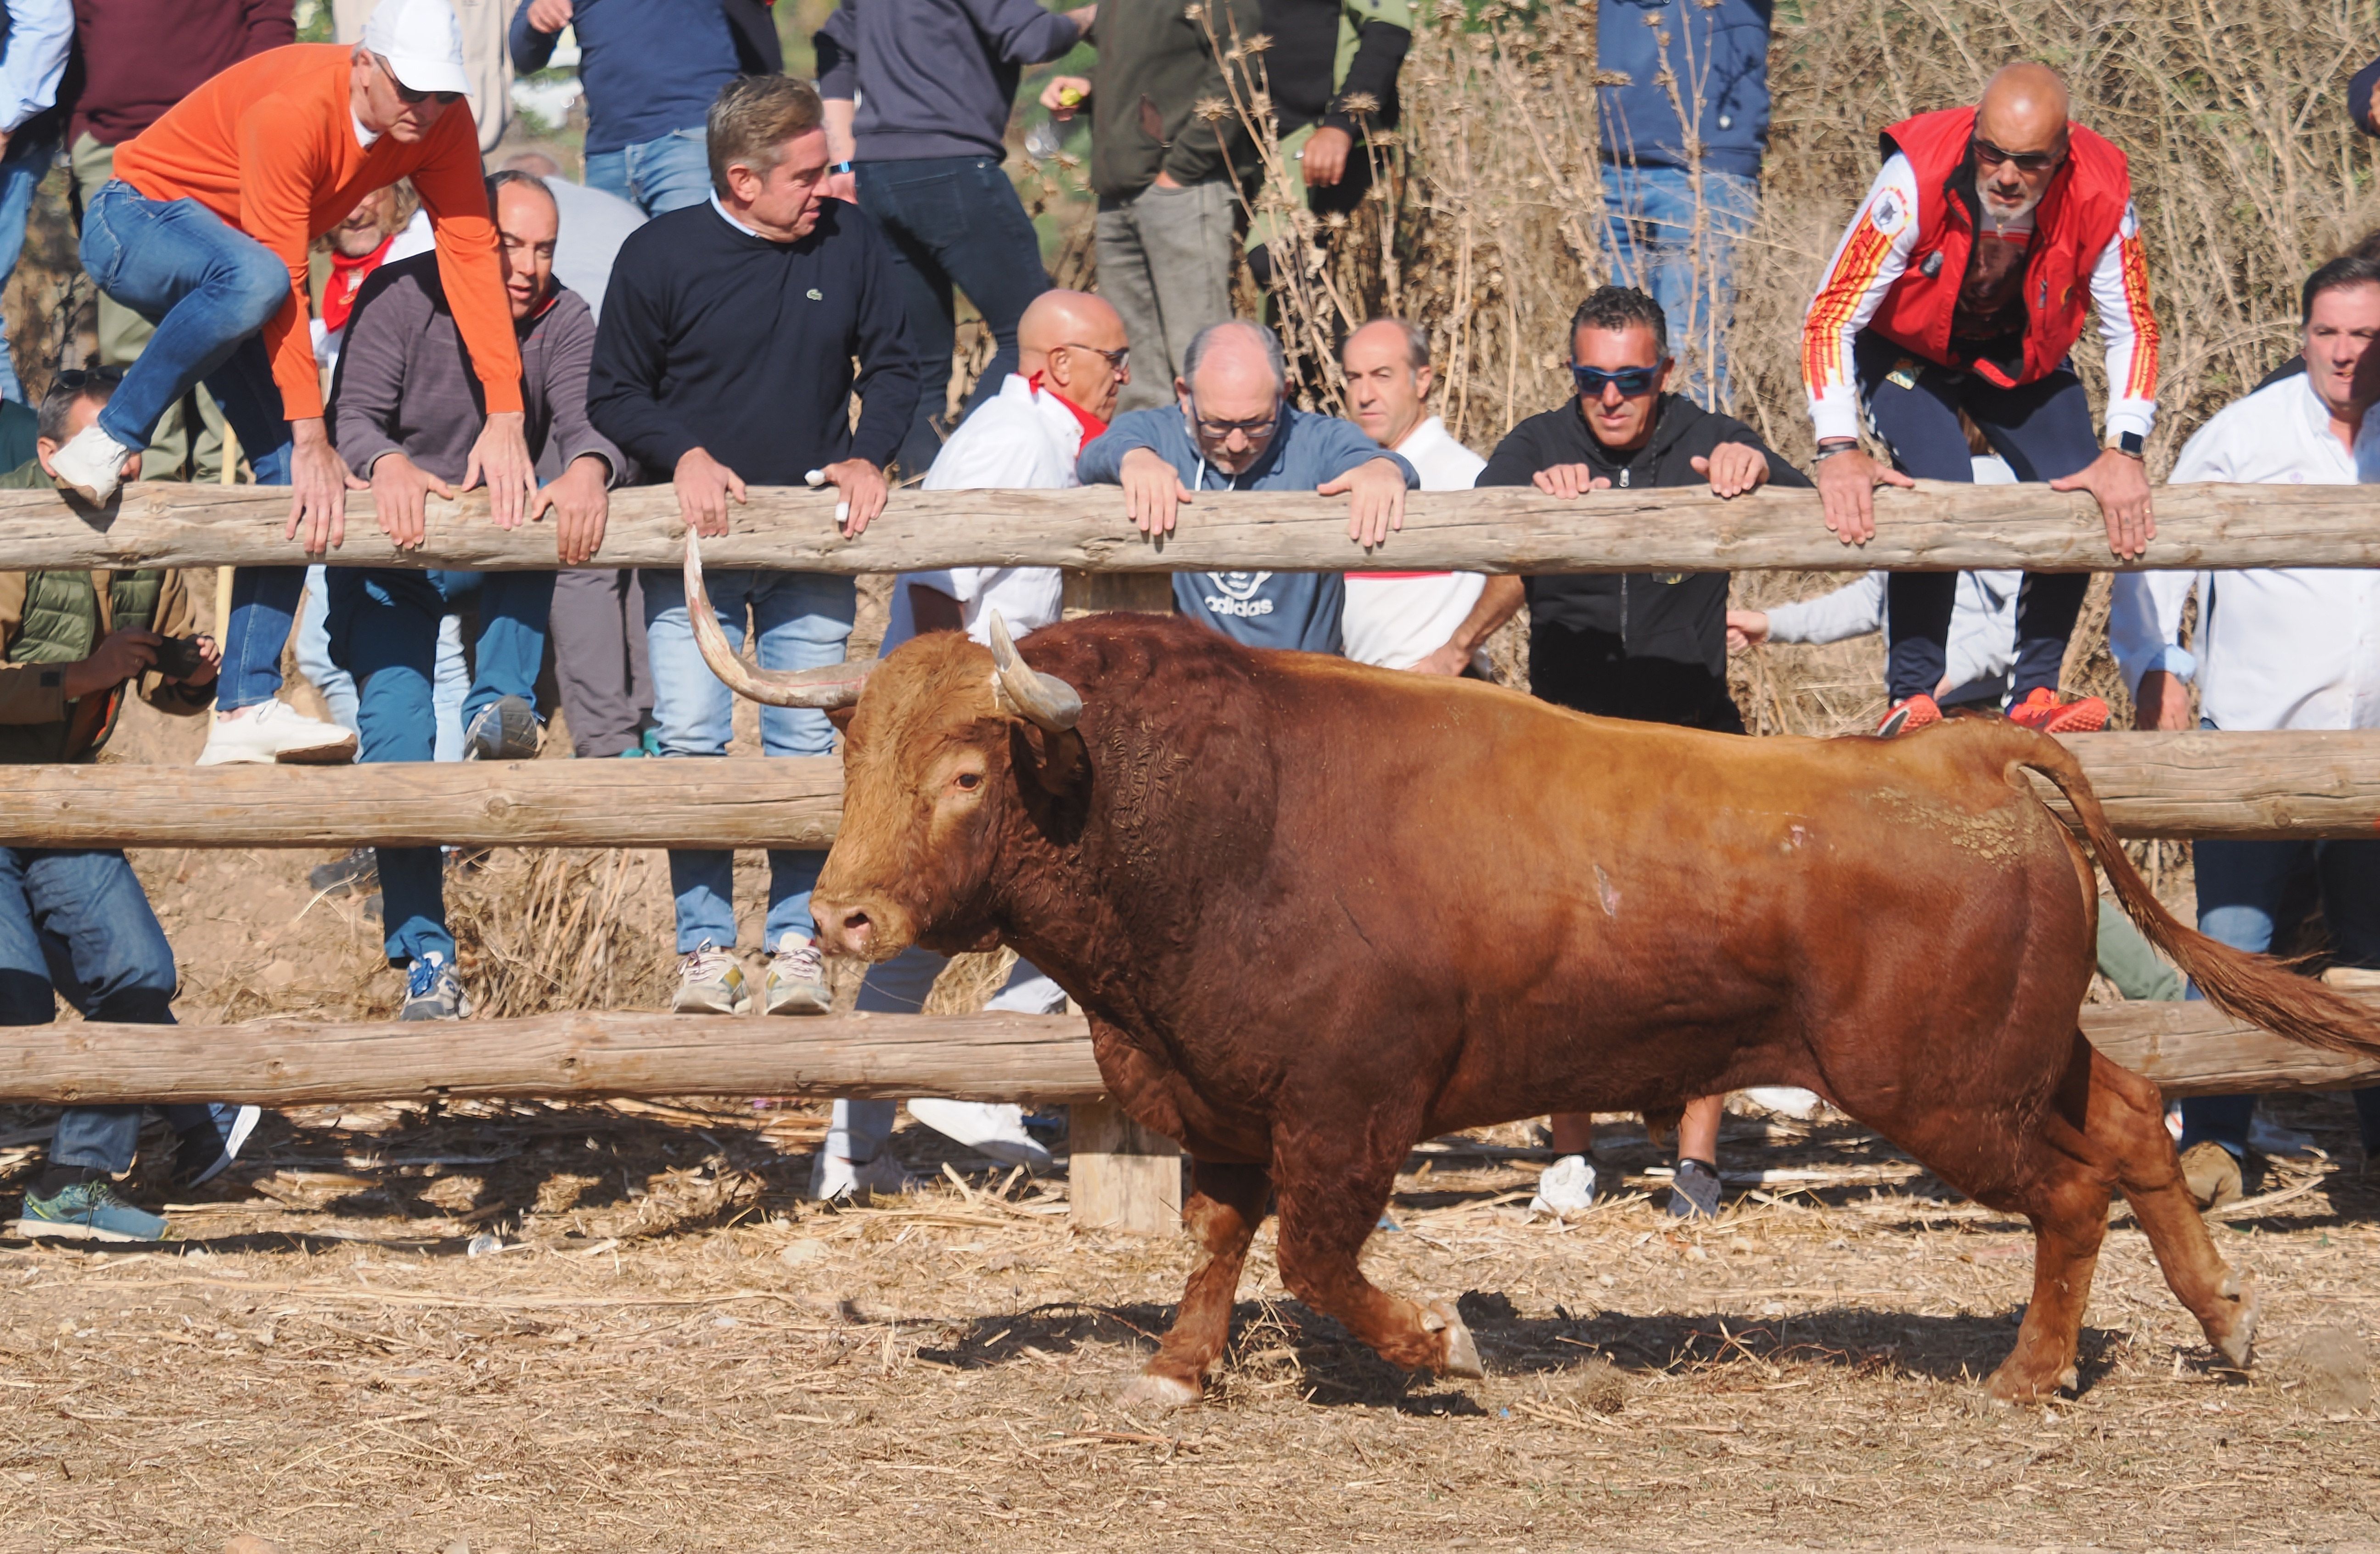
(934,77)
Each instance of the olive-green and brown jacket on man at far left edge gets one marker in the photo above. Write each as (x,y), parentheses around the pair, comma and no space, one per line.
(58,618)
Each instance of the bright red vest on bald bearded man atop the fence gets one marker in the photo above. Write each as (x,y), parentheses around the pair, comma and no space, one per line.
(2074,225)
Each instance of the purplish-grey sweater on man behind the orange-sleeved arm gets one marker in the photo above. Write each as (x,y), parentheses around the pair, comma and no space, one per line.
(406,380)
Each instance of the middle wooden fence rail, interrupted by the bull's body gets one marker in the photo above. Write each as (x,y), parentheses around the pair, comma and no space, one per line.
(2153,784)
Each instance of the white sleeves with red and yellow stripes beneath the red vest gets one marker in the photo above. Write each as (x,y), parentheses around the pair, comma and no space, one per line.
(1874,253)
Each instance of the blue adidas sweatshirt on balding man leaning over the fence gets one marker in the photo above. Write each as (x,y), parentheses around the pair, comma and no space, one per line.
(1258,608)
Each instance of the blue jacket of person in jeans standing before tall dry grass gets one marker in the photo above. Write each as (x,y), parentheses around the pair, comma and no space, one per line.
(1717,56)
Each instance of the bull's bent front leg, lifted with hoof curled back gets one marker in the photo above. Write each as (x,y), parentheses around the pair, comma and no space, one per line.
(1329,1203)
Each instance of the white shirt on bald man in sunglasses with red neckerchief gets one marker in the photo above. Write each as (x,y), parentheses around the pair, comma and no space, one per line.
(1022,439)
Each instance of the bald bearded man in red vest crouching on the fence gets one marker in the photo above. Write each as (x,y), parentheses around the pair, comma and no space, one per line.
(1962,284)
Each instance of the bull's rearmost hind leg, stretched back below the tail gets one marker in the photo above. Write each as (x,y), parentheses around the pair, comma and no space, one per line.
(2129,1124)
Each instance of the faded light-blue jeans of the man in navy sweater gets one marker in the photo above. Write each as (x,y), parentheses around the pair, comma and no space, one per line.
(803,622)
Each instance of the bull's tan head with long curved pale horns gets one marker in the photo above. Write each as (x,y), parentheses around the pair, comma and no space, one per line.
(946,753)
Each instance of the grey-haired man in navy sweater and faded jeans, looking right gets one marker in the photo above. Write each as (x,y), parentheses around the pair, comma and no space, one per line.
(725,356)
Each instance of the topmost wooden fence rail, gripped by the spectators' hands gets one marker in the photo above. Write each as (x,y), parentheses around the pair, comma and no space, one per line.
(1934,527)
